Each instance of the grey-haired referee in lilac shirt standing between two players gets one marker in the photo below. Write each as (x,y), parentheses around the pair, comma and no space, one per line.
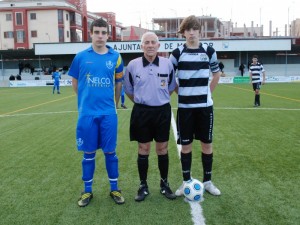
(149,81)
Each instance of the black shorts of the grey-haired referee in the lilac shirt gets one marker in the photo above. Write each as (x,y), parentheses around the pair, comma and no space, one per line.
(150,122)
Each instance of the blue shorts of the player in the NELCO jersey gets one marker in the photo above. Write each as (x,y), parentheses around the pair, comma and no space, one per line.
(95,132)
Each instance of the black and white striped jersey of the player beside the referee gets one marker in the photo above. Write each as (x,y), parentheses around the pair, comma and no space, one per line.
(193,70)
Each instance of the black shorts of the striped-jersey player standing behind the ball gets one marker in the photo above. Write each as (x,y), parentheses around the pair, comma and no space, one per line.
(195,123)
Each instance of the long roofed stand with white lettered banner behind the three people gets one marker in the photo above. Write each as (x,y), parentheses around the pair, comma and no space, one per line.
(278,54)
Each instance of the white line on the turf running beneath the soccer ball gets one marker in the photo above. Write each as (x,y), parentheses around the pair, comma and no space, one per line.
(196,209)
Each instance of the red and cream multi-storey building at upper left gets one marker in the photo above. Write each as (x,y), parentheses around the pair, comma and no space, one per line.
(23,23)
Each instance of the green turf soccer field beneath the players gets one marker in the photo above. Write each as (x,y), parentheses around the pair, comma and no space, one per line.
(256,162)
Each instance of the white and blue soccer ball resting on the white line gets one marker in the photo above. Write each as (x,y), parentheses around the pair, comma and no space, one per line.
(193,190)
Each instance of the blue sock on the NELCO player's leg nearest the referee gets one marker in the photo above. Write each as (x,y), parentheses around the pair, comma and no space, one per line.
(111,162)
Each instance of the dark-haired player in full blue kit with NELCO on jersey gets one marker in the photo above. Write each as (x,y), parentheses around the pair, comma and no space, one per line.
(97,75)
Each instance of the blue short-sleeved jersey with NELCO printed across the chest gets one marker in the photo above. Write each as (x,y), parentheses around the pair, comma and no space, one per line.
(96,75)
